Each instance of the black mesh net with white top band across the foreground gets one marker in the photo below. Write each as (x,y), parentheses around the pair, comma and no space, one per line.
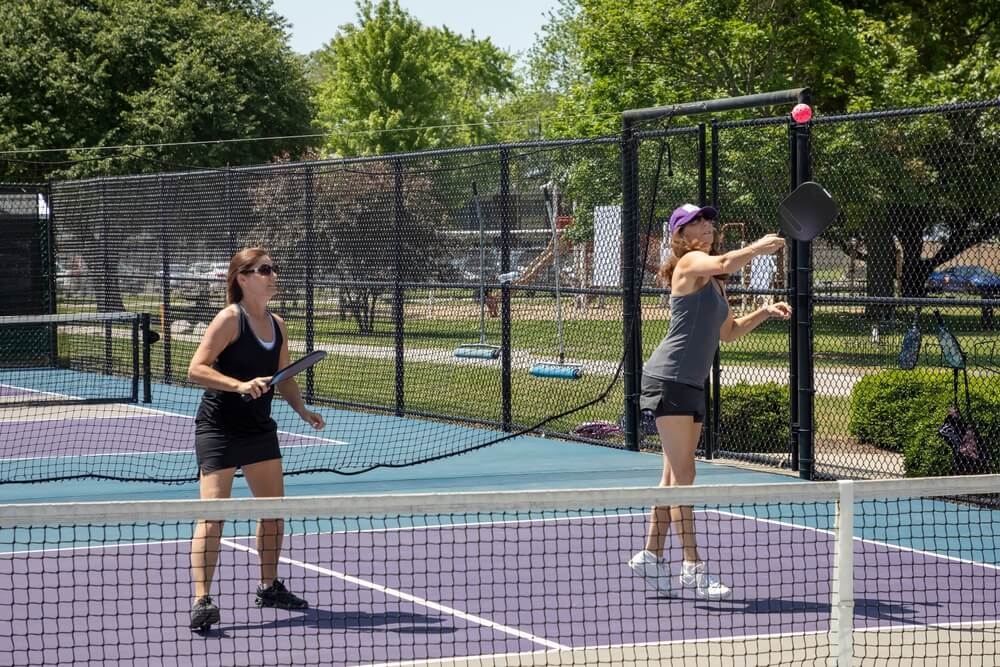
(887,572)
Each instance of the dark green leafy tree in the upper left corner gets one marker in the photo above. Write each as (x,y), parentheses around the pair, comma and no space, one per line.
(131,72)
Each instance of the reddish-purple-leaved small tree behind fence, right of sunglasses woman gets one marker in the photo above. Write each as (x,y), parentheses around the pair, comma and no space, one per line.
(368,227)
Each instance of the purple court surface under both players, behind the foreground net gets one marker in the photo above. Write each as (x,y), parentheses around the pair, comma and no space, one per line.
(412,593)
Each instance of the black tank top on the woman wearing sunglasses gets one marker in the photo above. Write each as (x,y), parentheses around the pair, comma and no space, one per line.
(244,359)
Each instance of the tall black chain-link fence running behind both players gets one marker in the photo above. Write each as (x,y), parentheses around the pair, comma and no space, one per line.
(484,286)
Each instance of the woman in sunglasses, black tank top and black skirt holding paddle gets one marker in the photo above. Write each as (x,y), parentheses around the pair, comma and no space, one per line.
(244,345)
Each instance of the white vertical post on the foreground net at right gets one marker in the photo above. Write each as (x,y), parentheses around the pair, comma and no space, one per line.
(842,579)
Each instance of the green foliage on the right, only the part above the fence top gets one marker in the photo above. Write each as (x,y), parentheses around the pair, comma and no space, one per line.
(603,56)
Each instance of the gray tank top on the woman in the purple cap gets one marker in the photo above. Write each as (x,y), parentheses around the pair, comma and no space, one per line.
(685,354)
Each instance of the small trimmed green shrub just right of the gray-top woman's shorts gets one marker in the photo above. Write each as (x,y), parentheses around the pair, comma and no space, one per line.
(754,418)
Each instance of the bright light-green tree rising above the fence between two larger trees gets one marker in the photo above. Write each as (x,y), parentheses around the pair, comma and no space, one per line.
(389,84)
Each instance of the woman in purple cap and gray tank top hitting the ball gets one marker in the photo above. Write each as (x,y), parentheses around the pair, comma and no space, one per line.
(674,378)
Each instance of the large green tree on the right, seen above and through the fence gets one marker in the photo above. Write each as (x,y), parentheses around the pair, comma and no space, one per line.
(901,182)
